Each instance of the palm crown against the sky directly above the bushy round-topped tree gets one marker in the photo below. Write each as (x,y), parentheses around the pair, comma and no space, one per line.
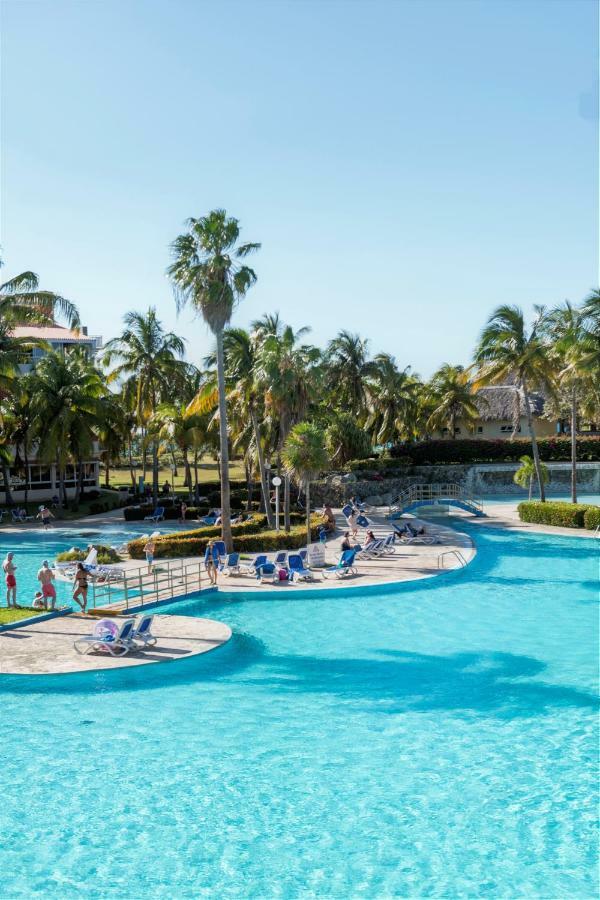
(348,367)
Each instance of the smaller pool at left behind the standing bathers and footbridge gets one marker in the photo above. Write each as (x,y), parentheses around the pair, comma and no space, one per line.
(32,546)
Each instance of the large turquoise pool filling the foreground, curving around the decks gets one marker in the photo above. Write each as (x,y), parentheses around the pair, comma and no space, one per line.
(438,740)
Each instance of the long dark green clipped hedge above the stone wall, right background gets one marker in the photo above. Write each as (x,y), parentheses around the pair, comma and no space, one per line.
(555,449)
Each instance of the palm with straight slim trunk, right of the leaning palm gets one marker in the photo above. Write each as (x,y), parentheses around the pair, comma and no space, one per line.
(570,344)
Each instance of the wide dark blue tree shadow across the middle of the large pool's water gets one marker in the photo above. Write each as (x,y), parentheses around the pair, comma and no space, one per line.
(486,683)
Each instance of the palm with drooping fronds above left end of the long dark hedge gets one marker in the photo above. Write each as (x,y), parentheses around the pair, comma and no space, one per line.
(392,400)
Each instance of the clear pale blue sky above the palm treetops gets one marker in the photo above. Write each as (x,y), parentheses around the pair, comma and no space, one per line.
(407,165)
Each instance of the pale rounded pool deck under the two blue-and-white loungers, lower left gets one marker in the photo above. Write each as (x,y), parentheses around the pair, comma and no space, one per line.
(46,648)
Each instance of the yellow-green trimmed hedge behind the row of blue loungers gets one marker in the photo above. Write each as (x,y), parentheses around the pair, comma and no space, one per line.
(248,537)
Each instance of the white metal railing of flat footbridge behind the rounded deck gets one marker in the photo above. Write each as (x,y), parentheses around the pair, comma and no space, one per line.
(139,587)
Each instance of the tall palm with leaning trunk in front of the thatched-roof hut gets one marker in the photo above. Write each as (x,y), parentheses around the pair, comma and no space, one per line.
(510,353)
